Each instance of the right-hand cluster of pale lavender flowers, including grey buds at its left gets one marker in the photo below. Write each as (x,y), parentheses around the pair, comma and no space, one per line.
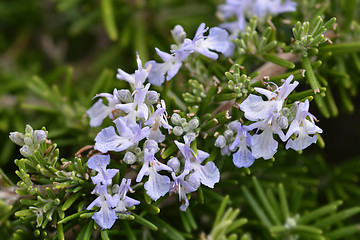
(269,117)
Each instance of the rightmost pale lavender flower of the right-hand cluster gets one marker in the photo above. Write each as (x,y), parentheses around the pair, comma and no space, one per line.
(302,127)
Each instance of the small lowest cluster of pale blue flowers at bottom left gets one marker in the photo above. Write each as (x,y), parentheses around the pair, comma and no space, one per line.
(109,203)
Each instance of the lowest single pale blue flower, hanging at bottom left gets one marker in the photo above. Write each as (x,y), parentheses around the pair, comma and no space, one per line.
(106,216)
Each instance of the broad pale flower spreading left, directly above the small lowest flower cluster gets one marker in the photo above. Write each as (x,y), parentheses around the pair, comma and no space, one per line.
(108,140)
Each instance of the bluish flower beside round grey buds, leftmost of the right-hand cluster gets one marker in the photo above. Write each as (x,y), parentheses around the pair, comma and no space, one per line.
(243,157)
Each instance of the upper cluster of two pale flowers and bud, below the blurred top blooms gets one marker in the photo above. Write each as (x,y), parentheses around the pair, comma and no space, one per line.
(218,40)
